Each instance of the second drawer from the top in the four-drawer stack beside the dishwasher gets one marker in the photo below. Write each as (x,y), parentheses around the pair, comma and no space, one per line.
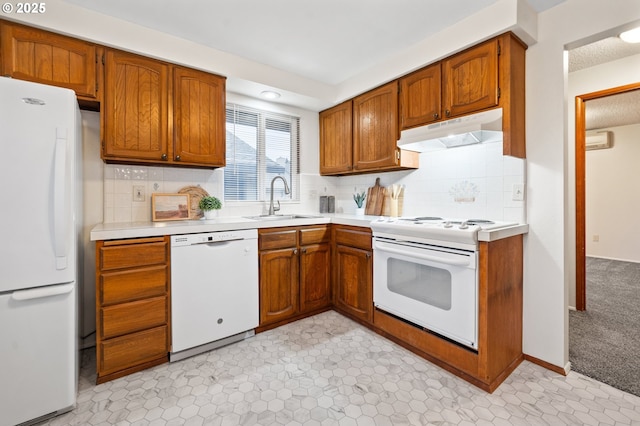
(129,285)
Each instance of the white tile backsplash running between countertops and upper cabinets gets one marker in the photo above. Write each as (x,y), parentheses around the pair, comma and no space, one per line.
(468,182)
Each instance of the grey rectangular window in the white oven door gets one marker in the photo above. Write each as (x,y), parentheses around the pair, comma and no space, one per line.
(423,283)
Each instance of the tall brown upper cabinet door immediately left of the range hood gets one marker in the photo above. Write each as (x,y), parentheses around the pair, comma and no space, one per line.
(375,131)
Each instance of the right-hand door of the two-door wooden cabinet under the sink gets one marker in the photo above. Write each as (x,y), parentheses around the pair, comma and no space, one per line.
(314,276)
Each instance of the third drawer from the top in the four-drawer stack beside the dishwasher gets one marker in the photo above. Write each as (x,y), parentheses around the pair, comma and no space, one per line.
(130,317)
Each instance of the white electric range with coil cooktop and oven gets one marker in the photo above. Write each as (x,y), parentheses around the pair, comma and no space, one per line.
(425,271)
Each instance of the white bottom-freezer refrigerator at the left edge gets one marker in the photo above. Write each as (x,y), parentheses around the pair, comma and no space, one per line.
(40,189)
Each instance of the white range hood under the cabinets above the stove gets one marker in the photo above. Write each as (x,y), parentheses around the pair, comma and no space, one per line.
(482,127)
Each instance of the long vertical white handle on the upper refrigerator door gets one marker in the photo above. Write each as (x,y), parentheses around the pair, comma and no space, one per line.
(60,199)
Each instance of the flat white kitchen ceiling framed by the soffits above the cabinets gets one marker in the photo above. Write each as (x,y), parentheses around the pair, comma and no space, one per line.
(327,41)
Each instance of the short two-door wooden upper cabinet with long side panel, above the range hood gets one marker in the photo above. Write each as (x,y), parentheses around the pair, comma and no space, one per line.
(485,76)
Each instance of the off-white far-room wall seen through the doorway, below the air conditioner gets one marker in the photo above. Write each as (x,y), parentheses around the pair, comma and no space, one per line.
(612,200)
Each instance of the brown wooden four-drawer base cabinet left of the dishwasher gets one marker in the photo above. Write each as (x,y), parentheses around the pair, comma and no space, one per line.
(132,305)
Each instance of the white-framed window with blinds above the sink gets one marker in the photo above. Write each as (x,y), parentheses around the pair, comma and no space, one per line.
(260,146)
